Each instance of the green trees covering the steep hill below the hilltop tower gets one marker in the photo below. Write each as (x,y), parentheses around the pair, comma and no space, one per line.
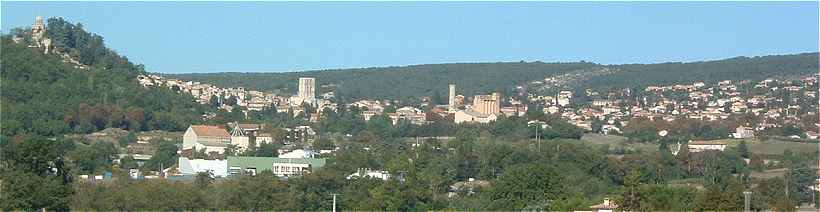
(45,96)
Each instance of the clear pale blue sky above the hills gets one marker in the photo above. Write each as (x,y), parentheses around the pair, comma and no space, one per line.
(183,37)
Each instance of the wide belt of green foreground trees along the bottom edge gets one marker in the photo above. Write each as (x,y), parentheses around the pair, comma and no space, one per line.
(560,175)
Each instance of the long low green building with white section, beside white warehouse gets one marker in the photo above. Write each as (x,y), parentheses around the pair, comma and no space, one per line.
(279,166)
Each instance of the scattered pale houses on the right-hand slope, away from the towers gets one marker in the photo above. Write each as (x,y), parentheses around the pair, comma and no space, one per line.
(764,100)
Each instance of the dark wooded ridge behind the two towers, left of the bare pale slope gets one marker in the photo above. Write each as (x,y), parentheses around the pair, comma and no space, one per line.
(403,82)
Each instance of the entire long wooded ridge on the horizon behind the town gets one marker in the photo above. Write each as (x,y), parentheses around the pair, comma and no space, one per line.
(409,82)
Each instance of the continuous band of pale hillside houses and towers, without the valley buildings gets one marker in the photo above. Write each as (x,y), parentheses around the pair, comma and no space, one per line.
(765,104)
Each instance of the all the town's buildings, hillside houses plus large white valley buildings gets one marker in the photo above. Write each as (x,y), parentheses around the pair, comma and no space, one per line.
(763,105)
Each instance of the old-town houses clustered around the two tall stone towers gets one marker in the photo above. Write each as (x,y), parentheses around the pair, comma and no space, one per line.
(485,108)
